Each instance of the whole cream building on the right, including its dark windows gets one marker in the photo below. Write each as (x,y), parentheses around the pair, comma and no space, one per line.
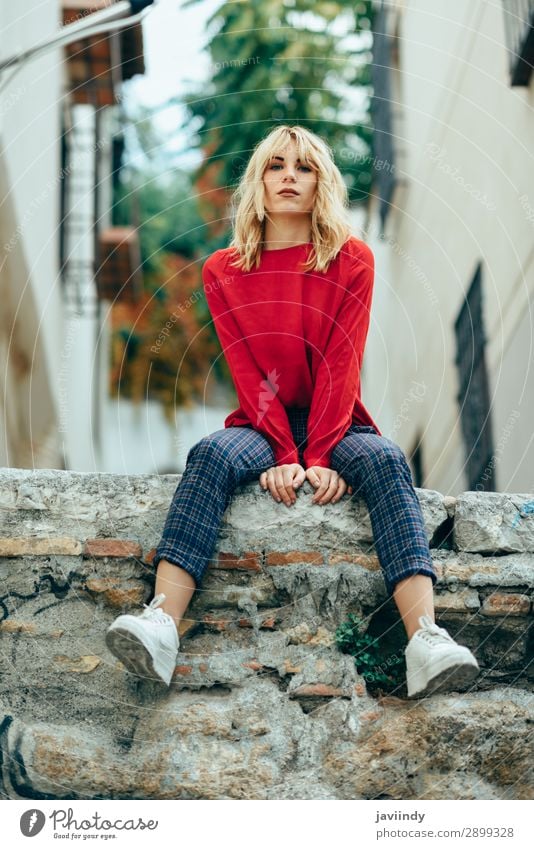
(451,221)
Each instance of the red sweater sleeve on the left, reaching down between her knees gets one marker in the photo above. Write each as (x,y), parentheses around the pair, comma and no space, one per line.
(255,390)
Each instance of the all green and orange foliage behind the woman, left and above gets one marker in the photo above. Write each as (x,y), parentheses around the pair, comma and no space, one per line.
(273,61)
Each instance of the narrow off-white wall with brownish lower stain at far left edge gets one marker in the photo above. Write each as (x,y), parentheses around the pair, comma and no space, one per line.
(29,180)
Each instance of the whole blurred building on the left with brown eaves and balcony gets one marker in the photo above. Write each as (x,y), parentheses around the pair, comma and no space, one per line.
(61,258)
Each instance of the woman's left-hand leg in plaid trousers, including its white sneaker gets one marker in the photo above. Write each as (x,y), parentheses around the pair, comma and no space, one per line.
(148,644)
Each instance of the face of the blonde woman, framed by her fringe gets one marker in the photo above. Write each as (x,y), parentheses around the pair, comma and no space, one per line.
(285,173)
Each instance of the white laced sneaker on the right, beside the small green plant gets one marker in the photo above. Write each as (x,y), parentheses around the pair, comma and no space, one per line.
(435,662)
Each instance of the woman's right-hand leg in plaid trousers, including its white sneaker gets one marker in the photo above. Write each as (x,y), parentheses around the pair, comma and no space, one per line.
(378,471)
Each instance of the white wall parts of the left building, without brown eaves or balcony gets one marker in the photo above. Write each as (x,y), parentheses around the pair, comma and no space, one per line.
(54,338)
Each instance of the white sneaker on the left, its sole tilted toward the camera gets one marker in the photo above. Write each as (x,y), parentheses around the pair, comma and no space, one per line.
(147,645)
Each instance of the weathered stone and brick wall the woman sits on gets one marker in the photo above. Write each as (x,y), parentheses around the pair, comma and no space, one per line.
(262,705)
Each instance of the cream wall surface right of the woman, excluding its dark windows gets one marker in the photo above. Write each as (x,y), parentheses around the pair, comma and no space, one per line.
(469,162)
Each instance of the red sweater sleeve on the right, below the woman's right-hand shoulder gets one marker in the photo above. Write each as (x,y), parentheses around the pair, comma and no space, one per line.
(337,381)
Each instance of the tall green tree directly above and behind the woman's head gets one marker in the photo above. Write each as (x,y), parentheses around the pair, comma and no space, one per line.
(278,61)
